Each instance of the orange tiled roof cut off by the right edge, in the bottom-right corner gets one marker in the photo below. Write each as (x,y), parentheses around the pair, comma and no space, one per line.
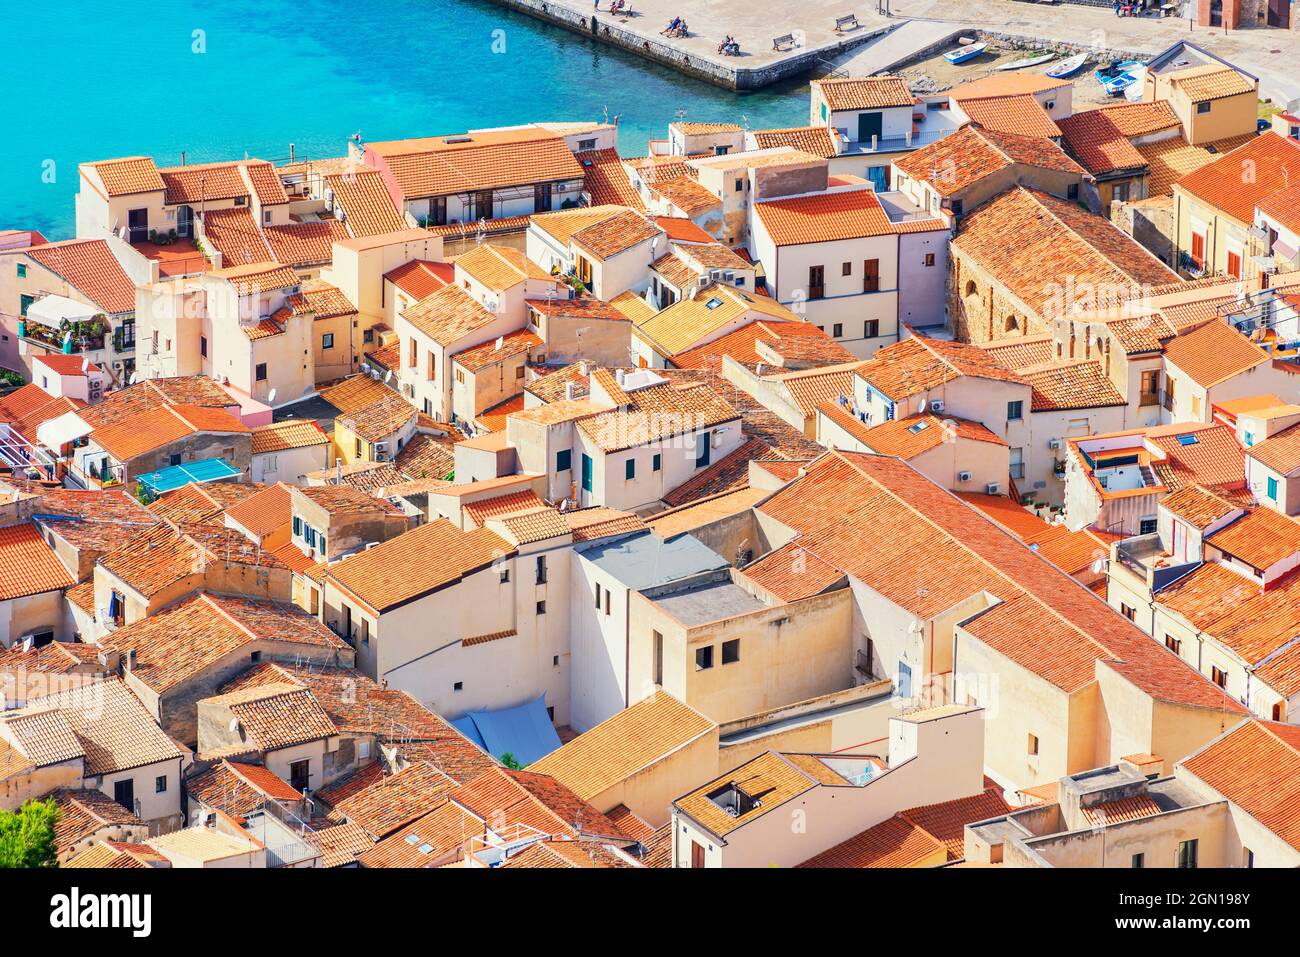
(1258,768)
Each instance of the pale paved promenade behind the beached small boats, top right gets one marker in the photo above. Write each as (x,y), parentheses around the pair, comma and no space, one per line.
(1272,55)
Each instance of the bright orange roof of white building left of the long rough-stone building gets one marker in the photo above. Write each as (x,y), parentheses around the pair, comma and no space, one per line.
(830,218)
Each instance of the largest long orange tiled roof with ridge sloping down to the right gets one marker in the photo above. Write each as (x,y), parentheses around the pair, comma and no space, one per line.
(855,512)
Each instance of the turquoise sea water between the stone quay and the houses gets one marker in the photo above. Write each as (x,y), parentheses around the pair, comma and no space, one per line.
(88,80)
